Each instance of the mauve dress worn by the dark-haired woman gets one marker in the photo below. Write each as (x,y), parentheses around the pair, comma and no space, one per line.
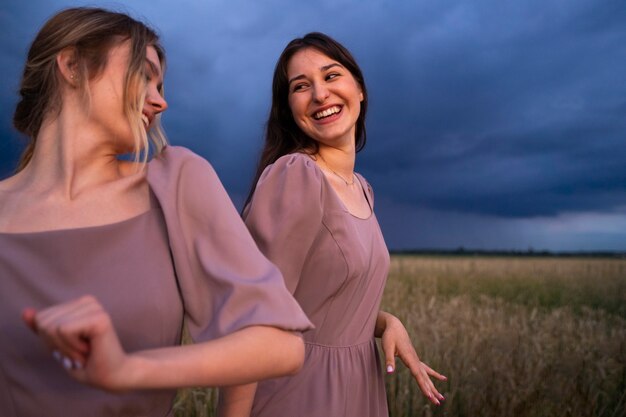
(336,266)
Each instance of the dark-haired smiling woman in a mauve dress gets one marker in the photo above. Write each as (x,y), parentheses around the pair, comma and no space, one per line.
(312,215)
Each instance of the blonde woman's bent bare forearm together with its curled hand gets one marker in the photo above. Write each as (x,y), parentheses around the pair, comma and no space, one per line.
(83,336)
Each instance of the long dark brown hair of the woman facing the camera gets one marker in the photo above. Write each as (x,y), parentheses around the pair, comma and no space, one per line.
(282,134)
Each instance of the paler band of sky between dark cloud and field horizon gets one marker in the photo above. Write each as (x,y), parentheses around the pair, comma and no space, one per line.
(410,227)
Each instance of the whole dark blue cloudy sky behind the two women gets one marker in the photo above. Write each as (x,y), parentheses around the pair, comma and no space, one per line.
(492,124)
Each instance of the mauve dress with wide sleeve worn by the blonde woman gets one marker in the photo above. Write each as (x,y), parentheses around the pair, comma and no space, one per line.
(189,257)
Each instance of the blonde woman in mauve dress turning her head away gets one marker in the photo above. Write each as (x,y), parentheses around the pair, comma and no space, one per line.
(103,258)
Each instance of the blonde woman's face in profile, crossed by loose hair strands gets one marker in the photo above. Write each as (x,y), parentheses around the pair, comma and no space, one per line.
(107,96)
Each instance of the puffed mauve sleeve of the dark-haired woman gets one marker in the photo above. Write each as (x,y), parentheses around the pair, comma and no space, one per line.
(284,215)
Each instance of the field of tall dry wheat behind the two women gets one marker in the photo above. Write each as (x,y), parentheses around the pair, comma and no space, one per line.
(516,336)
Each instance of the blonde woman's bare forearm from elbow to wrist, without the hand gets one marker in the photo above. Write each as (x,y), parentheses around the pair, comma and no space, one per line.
(248,355)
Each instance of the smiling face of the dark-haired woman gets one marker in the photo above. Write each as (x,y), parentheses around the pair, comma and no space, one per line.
(324,98)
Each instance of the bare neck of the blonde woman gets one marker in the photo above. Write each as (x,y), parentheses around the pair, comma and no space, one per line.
(70,157)
